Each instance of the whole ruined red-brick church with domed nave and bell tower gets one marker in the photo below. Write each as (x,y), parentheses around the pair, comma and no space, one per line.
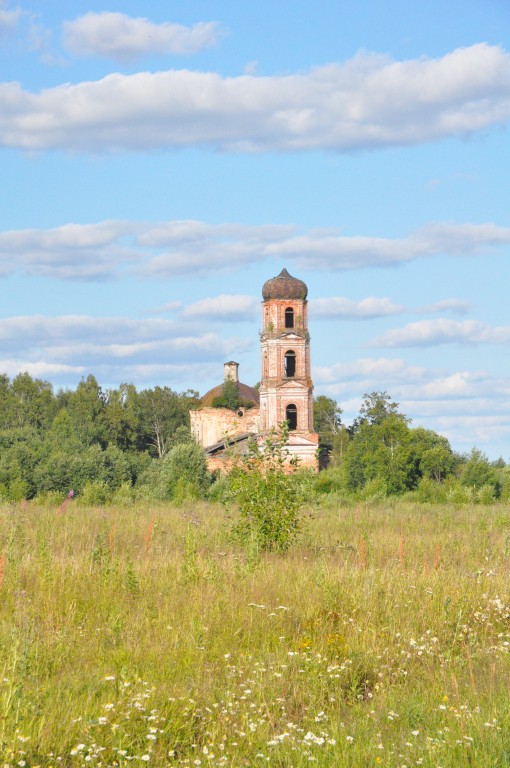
(285,392)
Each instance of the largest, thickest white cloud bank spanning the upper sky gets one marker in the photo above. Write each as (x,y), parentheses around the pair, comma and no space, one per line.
(367,102)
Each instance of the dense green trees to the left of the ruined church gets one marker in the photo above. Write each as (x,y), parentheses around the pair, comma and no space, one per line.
(85,439)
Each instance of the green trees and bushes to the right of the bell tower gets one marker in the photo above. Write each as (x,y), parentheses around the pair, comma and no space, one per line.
(381,454)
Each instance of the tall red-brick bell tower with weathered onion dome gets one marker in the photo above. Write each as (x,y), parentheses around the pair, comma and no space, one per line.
(286,389)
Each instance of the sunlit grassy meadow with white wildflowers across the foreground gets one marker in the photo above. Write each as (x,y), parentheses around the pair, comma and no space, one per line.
(142,636)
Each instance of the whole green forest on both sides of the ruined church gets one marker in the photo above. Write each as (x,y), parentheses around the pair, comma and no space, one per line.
(122,444)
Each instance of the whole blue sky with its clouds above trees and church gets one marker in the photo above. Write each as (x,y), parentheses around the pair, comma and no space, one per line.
(161,160)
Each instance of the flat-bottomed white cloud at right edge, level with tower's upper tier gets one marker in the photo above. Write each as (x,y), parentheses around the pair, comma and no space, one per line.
(433,332)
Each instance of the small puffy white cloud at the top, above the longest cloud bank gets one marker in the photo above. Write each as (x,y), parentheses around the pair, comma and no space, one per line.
(121,37)
